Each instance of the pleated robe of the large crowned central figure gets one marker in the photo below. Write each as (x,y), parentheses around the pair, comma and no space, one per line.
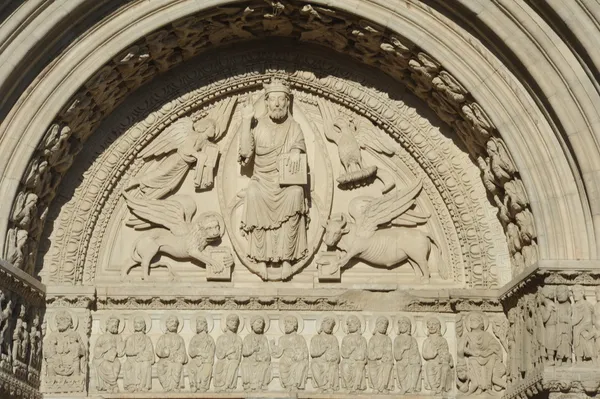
(274,218)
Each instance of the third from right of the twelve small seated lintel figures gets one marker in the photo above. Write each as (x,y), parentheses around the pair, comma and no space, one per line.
(381,361)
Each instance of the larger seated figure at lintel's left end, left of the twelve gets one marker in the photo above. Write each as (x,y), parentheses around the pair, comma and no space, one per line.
(65,356)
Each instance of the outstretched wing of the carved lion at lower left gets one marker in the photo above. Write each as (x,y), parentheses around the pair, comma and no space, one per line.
(175,213)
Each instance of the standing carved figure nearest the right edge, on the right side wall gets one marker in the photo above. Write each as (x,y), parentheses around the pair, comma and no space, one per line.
(583,326)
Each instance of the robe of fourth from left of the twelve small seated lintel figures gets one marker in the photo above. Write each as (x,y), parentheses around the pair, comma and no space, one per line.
(202,358)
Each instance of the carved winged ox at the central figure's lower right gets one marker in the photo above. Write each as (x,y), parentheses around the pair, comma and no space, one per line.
(379,232)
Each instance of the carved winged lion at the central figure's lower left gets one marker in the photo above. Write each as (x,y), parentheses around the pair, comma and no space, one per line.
(185,238)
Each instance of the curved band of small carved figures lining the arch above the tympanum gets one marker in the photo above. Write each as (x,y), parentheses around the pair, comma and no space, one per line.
(370,43)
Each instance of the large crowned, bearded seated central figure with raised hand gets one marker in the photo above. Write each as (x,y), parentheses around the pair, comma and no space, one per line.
(274,216)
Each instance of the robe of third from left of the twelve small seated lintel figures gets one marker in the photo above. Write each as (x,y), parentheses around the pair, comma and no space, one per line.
(170,350)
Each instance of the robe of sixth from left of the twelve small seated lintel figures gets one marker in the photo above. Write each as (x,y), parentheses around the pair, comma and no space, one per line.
(256,365)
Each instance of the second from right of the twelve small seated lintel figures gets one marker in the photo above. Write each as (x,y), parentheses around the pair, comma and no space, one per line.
(408,358)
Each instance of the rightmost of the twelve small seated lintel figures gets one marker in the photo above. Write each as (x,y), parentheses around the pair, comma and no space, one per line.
(438,360)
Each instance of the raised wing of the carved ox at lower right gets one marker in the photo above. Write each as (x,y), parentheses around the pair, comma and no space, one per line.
(369,215)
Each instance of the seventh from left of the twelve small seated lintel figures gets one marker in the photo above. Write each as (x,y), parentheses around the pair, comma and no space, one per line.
(292,352)
